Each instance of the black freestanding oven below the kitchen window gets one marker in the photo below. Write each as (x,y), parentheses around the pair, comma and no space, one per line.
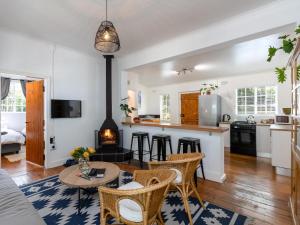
(243,138)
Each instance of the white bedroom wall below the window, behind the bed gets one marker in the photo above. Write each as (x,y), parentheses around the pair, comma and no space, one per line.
(15,121)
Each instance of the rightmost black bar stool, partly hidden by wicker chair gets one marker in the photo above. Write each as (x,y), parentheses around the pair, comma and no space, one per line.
(193,143)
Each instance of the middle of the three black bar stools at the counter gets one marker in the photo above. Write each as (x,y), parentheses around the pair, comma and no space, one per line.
(161,140)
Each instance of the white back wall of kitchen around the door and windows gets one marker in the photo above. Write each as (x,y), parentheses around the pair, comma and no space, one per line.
(227,88)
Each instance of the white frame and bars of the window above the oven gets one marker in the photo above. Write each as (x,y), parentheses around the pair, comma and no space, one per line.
(255,101)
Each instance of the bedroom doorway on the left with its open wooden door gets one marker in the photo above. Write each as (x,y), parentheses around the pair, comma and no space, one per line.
(22,123)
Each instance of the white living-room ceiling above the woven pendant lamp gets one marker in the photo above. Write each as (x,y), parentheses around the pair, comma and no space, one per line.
(140,23)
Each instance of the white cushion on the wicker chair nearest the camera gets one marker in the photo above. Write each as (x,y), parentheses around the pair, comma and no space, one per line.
(129,209)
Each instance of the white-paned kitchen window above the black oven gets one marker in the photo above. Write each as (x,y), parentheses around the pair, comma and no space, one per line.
(257,100)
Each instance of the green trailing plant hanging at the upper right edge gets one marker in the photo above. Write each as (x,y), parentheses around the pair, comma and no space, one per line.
(287,46)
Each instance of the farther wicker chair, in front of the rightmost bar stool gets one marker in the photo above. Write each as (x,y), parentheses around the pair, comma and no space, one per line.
(185,166)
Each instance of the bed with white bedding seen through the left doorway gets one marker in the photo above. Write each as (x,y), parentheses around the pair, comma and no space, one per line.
(11,140)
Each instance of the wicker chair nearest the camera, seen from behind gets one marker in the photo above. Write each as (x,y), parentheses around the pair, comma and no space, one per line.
(138,202)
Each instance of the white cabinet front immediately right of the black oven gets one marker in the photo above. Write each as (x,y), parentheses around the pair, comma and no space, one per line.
(263,141)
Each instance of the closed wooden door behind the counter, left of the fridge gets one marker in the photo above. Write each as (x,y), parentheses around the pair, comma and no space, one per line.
(189,108)
